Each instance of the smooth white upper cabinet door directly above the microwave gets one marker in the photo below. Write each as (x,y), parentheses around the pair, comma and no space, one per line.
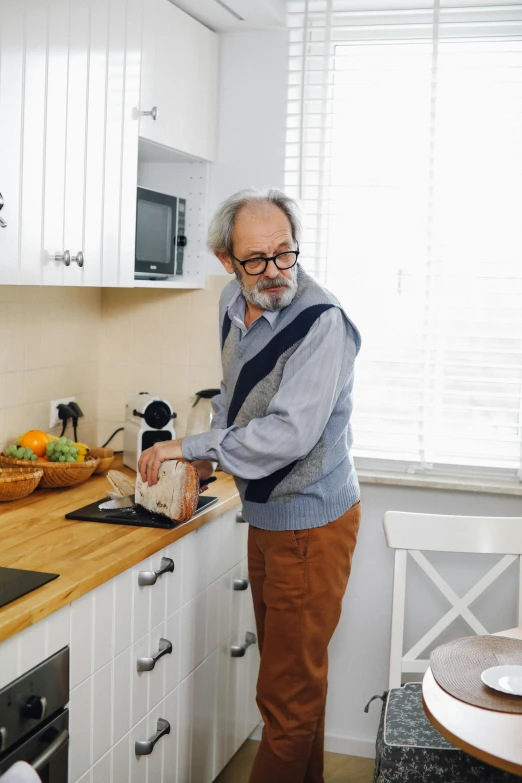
(179,85)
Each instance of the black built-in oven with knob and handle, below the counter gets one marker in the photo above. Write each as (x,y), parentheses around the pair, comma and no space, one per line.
(34,719)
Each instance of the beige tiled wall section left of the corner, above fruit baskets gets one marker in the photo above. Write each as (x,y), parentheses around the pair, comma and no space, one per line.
(49,348)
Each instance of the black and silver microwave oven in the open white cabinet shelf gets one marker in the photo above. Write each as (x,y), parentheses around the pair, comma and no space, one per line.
(160,235)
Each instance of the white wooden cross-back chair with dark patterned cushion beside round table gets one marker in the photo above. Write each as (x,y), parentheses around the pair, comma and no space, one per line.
(409,749)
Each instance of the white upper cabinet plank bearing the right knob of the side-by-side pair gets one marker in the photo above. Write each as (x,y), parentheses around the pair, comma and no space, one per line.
(76,135)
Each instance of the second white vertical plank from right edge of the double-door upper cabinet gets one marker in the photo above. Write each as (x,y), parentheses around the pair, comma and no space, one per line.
(113,141)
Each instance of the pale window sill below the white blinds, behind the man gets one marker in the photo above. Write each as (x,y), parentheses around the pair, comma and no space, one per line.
(458,483)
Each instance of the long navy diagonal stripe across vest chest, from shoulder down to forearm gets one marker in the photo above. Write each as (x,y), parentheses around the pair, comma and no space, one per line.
(264,362)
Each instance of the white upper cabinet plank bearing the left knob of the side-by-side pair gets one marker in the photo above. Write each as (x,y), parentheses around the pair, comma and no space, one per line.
(55,142)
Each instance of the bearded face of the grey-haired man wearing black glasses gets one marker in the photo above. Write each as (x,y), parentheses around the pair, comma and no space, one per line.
(263,230)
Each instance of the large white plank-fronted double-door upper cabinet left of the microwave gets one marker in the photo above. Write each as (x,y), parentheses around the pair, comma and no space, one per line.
(69,92)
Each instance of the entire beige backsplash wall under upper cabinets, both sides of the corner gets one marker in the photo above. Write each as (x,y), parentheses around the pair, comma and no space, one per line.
(103,346)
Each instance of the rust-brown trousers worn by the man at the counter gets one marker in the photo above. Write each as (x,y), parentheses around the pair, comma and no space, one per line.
(298,581)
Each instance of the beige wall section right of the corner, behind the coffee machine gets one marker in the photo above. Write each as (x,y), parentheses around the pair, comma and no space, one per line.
(162,342)
